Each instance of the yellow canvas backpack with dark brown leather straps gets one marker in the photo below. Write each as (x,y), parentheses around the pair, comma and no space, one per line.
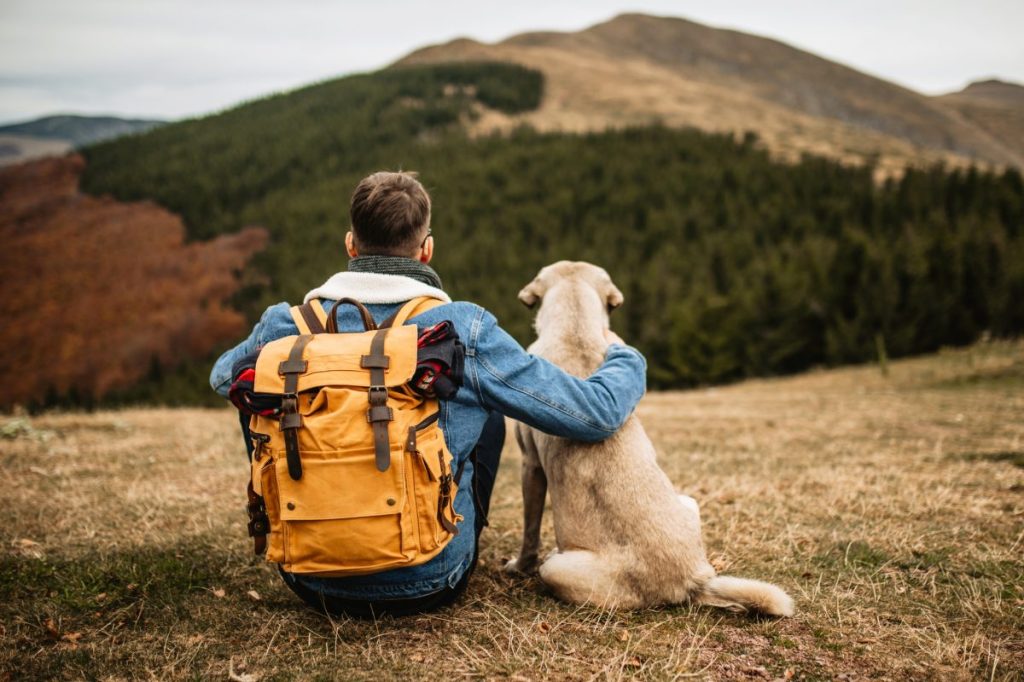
(355,478)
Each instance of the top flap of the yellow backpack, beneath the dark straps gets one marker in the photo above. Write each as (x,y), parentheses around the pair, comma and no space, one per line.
(336,360)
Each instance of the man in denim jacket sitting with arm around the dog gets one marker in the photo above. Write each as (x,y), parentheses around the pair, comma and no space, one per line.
(391,246)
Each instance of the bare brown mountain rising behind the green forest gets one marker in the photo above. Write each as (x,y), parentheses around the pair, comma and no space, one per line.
(637,69)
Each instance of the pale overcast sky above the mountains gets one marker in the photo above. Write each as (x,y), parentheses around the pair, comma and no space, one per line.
(170,59)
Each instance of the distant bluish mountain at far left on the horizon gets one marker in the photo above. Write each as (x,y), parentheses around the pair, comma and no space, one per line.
(54,136)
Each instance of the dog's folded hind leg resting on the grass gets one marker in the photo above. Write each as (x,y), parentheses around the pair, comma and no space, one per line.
(582,577)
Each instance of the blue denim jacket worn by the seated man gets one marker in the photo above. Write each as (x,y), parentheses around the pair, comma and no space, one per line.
(500,376)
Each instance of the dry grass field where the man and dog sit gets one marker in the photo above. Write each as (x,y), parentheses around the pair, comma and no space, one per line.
(892,508)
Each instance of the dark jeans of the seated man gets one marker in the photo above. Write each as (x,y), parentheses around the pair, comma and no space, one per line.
(489,455)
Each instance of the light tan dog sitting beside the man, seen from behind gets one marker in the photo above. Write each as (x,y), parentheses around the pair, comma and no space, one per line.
(626,539)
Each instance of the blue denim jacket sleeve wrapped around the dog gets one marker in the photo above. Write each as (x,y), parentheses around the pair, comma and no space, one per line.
(533,391)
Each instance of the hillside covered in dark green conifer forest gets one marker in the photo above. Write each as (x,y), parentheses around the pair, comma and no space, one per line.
(733,265)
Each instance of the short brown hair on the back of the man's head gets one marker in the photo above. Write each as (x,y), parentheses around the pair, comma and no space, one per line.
(391,212)
